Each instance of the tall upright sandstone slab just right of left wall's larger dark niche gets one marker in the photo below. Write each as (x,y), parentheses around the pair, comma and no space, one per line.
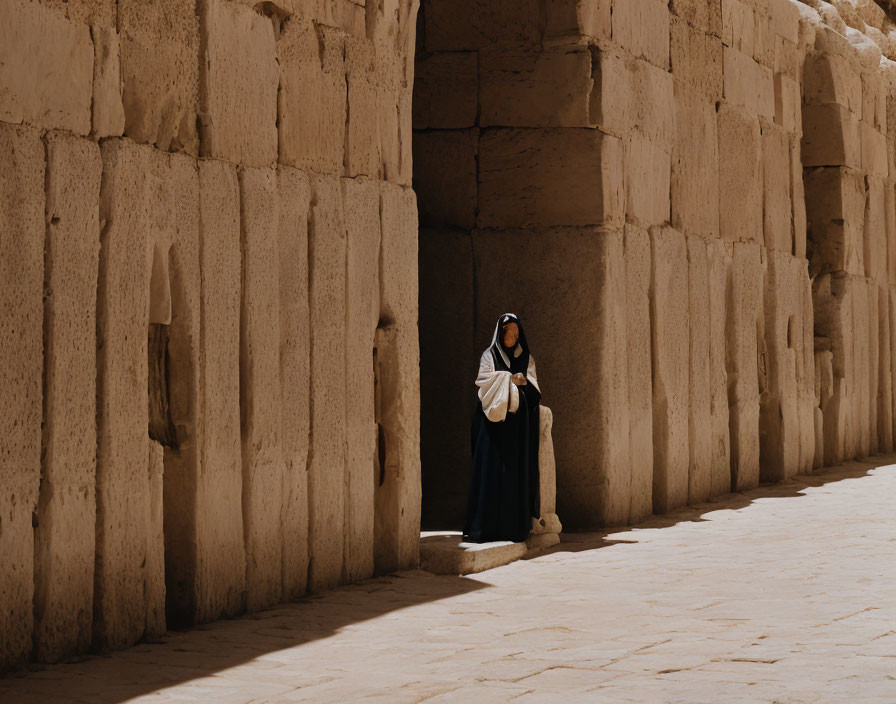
(221,556)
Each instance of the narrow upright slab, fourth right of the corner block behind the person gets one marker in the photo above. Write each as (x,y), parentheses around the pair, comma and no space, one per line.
(719,267)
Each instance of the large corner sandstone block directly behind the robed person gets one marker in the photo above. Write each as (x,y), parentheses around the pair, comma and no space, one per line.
(591,424)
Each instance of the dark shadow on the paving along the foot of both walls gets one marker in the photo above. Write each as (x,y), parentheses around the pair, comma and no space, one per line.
(205,650)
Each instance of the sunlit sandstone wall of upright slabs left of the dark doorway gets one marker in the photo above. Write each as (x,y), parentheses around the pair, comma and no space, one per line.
(208,247)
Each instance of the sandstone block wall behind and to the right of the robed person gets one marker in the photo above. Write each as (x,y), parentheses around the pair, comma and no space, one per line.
(690,203)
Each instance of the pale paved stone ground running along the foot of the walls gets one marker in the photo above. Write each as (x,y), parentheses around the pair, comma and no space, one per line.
(784,594)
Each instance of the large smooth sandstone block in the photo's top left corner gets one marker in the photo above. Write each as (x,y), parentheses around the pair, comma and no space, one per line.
(46,68)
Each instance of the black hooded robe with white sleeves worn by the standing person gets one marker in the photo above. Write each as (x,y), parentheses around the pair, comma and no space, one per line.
(505,433)
